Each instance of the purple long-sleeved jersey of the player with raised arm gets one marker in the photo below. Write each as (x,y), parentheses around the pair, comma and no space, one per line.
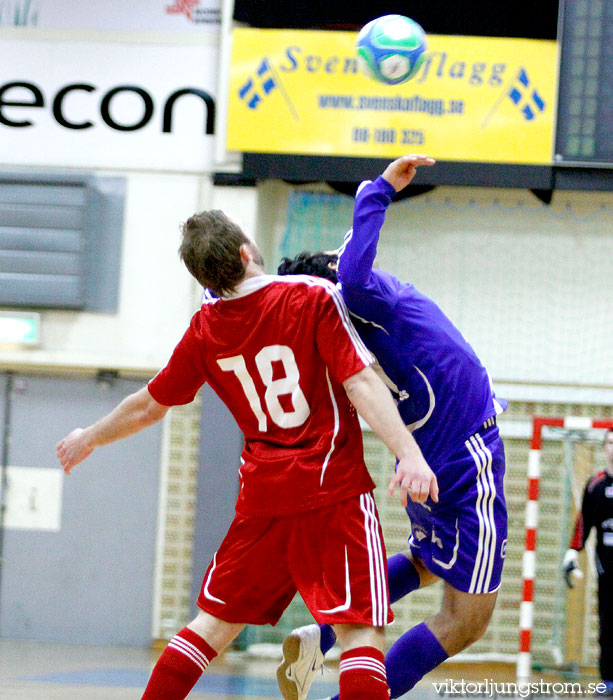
(443,392)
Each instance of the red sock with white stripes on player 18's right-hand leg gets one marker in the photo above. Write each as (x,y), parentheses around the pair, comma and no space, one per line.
(362,675)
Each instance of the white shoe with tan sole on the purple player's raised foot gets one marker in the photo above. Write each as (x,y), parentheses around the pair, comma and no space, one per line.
(302,658)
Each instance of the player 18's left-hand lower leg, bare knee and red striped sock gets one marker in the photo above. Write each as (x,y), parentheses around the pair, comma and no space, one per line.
(187,655)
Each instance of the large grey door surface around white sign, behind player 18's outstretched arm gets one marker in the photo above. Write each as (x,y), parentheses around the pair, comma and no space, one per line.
(93,580)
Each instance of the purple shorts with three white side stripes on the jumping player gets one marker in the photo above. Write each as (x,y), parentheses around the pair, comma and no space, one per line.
(463,538)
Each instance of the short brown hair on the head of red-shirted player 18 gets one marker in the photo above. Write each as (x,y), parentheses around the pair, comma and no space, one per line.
(210,249)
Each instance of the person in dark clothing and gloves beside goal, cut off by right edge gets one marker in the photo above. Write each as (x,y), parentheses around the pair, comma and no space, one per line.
(597,512)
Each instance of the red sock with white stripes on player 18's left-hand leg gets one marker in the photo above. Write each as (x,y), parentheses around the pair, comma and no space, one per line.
(179,667)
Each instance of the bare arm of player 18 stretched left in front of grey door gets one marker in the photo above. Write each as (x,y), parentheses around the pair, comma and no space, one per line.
(135,412)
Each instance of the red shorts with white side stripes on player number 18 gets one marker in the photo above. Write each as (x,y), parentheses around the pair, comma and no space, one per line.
(335,557)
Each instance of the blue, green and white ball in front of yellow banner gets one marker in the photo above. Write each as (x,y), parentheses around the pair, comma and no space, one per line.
(391,48)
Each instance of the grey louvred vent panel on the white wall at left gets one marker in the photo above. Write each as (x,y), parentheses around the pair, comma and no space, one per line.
(61,215)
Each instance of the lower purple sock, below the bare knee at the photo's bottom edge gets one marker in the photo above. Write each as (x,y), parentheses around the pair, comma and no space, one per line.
(411,656)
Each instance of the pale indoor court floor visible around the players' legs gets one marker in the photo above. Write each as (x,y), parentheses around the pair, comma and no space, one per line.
(43,671)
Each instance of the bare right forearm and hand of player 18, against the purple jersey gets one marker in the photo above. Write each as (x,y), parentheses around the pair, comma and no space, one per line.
(375,404)
